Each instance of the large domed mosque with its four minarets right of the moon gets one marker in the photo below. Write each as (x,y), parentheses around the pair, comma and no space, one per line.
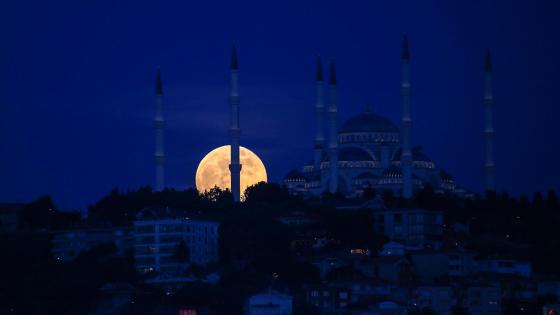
(370,151)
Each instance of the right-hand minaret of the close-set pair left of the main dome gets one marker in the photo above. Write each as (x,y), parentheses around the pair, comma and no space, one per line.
(333,141)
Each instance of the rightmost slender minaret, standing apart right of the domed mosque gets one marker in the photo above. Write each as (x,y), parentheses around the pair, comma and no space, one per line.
(488,128)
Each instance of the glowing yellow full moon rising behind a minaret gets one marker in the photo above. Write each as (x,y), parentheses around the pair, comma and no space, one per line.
(213,169)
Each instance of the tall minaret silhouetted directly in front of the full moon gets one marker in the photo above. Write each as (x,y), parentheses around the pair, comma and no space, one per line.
(235,166)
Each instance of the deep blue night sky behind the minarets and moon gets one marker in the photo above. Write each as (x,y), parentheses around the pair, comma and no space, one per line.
(76,101)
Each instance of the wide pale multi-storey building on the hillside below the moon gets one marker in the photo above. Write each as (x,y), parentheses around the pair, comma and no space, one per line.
(167,241)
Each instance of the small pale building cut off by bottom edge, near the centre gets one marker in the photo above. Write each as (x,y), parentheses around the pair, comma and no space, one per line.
(271,303)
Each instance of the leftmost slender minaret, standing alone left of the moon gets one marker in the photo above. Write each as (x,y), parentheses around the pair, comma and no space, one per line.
(159,124)
